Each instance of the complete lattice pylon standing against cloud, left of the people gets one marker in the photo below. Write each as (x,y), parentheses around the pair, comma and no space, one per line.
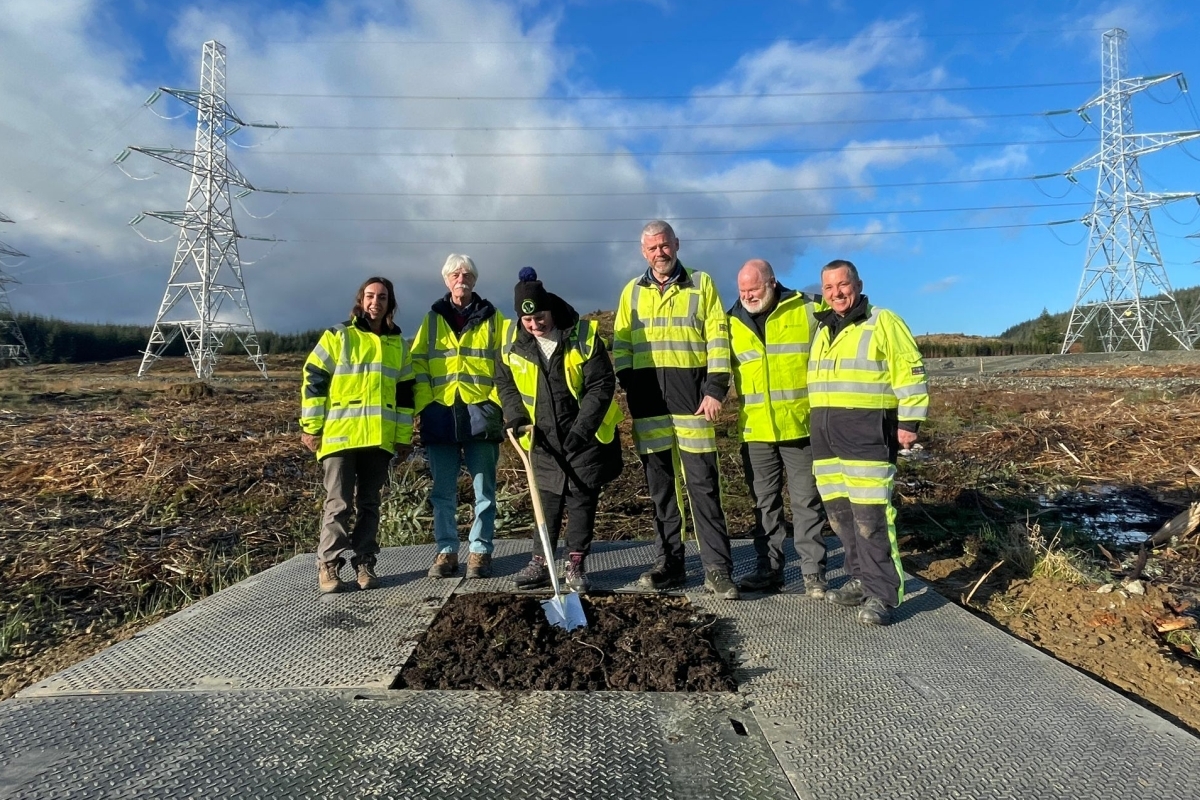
(206,276)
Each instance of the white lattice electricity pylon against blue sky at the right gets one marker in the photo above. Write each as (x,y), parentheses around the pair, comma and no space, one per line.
(1124,262)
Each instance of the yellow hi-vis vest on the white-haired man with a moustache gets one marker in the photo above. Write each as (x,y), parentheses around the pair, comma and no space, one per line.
(461,366)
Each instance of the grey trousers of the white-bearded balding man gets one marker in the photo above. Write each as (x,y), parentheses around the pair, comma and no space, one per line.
(765,464)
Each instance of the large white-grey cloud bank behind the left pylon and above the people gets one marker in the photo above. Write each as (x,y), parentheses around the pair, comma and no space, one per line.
(74,208)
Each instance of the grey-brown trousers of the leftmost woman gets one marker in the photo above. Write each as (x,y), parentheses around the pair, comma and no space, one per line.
(353,479)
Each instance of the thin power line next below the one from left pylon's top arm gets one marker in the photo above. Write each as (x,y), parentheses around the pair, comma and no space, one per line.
(769,152)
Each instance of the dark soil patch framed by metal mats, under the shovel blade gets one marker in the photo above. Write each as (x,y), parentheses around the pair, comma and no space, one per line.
(632,643)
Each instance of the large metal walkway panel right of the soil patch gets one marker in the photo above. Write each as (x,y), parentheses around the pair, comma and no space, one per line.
(940,705)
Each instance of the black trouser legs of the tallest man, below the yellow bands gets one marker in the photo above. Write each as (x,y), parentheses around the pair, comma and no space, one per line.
(704,486)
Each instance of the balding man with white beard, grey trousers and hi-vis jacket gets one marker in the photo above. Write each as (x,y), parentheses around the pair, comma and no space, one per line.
(771,330)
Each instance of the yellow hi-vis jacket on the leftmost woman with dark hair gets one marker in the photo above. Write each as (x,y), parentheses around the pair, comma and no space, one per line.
(358,389)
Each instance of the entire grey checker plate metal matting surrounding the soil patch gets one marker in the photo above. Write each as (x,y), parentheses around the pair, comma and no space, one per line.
(938,706)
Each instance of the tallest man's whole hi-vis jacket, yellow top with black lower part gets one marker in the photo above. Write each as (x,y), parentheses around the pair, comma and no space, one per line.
(681,329)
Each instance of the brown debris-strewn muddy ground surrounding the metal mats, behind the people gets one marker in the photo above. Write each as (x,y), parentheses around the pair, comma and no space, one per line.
(123,501)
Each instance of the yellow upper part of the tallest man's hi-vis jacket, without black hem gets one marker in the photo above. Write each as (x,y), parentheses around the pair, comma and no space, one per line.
(683,327)
